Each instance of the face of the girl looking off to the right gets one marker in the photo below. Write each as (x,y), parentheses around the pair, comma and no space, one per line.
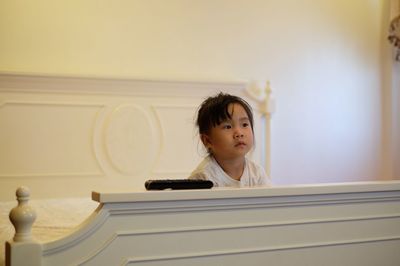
(233,138)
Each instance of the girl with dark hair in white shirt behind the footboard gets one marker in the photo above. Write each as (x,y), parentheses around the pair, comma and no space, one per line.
(225,125)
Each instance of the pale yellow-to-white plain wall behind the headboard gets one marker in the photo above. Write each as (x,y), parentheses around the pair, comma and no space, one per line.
(323,59)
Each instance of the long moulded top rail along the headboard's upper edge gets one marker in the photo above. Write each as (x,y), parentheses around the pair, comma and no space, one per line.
(12,82)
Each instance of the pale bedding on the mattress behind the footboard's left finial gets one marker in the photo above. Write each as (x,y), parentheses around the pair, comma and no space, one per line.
(55,218)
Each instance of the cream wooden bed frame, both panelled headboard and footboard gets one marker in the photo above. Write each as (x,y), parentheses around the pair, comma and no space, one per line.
(67,136)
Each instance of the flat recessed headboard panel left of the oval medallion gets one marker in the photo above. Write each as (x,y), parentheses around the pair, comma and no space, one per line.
(49,139)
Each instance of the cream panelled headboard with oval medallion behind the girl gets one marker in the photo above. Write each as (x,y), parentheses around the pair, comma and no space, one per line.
(67,136)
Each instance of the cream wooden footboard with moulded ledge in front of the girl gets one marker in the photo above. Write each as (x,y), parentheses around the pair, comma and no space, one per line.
(339,224)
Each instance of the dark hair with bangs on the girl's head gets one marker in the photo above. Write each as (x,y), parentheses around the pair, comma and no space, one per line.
(214,110)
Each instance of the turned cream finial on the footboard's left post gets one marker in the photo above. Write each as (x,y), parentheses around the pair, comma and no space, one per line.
(22,216)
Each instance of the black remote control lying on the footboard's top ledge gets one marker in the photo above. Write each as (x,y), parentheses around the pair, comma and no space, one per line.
(160,184)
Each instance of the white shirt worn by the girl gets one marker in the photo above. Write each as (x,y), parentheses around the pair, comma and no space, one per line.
(209,169)
